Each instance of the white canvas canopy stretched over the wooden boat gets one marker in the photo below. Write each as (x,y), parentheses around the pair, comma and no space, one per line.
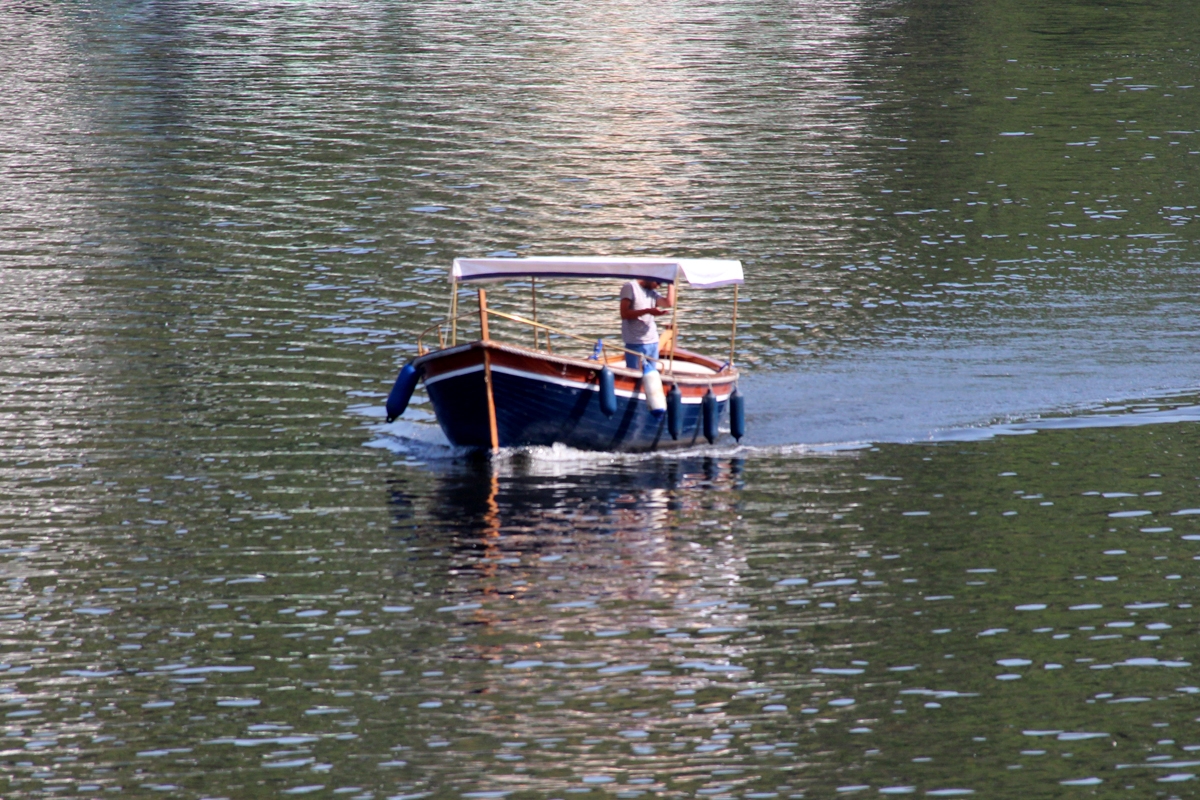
(699,273)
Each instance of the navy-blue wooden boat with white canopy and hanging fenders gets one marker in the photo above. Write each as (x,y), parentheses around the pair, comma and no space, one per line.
(496,393)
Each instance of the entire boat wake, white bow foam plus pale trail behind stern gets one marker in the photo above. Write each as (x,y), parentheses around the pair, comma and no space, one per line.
(905,395)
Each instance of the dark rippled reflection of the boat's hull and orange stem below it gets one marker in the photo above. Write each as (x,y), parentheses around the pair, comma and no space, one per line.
(605,518)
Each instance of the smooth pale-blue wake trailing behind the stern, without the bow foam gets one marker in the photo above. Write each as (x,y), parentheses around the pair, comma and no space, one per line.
(1006,383)
